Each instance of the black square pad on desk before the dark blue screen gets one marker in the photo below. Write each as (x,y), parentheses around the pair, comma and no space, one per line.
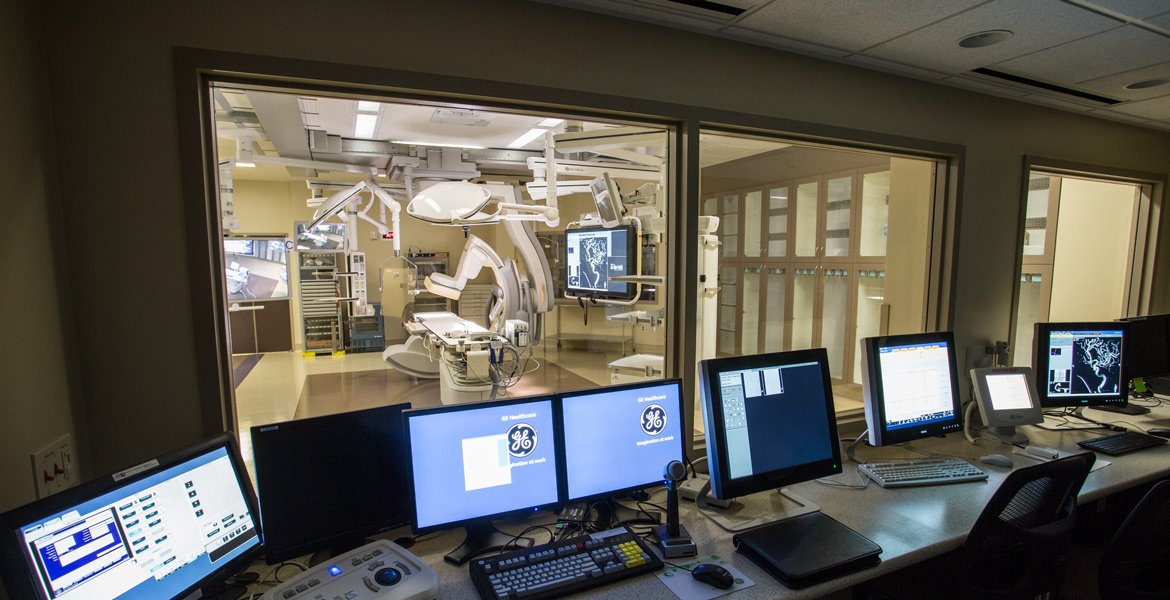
(807,550)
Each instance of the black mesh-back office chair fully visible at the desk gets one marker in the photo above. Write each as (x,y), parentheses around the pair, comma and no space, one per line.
(1018,548)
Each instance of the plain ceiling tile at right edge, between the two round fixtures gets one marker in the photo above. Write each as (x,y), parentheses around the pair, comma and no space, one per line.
(1117,51)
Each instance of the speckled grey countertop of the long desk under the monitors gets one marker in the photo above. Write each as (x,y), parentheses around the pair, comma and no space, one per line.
(911,525)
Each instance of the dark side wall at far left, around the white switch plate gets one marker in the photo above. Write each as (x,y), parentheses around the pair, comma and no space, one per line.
(38,355)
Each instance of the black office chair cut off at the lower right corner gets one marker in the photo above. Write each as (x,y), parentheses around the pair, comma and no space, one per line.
(1137,562)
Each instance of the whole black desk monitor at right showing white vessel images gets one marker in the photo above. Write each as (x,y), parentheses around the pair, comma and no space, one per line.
(1080,364)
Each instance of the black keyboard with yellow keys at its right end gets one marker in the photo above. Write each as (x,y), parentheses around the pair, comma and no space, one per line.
(563,568)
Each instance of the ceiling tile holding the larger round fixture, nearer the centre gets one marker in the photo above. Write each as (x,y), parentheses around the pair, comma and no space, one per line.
(1036,25)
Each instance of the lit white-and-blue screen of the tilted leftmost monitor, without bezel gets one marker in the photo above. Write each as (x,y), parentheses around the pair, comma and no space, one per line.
(150,540)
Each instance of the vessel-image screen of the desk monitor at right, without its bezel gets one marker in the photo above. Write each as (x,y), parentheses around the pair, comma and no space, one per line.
(1085,363)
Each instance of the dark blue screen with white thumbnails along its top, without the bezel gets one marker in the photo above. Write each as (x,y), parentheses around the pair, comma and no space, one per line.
(775,418)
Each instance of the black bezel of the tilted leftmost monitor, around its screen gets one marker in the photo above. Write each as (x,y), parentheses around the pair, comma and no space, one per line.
(15,565)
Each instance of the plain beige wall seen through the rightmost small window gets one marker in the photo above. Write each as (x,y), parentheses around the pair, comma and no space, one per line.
(1093,250)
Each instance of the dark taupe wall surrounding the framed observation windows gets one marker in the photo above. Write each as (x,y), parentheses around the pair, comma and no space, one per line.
(113,96)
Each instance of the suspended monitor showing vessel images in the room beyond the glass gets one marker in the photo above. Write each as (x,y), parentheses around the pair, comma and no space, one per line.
(596,254)
